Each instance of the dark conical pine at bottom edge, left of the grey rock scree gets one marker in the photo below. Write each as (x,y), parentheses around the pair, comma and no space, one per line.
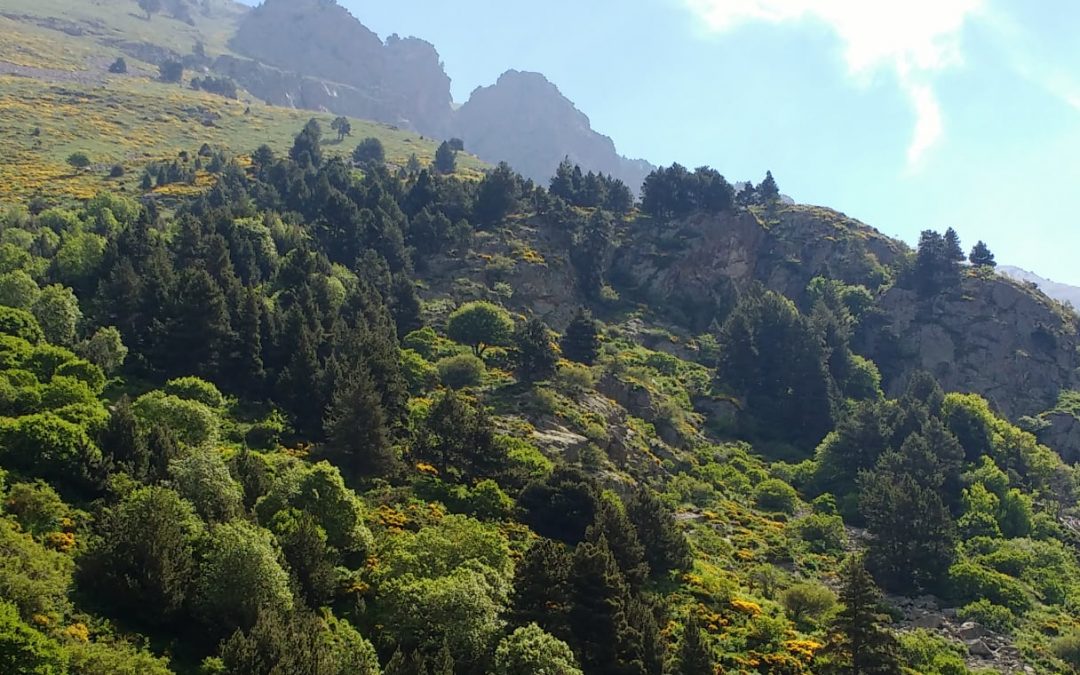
(859,644)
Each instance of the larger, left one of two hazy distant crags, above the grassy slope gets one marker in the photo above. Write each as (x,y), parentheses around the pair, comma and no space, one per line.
(398,83)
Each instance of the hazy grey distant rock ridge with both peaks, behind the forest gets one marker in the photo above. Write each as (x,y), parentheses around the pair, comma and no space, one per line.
(315,55)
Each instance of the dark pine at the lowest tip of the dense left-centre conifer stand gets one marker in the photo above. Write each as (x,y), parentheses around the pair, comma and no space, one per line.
(357,430)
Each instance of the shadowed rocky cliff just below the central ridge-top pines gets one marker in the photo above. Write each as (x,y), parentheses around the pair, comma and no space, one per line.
(695,269)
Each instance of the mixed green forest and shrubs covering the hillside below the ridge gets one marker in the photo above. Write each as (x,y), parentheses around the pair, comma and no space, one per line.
(303,422)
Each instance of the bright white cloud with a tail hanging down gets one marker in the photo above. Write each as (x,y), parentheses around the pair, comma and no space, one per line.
(913,38)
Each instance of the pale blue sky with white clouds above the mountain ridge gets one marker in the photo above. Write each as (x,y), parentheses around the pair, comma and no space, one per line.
(904,114)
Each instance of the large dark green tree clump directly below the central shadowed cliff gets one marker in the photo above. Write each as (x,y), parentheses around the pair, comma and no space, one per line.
(772,357)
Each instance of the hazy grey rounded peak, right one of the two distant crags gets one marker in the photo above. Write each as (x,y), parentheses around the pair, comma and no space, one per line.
(525,121)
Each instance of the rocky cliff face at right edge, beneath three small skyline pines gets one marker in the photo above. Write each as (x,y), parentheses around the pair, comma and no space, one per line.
(994,337)
